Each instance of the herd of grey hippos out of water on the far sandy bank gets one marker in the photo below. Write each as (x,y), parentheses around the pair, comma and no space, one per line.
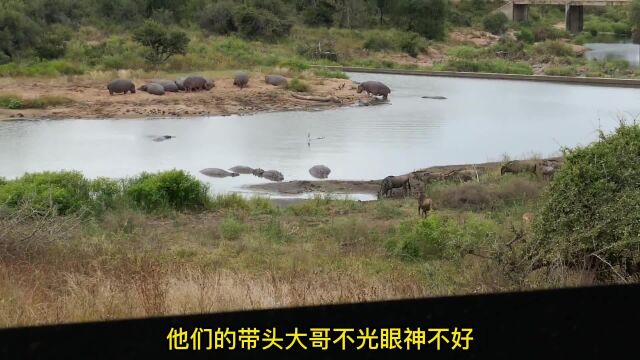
(241,79)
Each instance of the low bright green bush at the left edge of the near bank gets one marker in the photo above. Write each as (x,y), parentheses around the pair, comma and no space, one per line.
(65,191)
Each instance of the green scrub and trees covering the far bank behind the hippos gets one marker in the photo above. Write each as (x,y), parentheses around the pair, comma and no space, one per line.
(71,37)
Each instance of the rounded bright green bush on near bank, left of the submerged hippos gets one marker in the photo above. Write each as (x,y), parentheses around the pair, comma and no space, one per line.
(172,189)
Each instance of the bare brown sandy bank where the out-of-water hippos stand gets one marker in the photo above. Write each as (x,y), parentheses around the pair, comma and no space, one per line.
(92,100)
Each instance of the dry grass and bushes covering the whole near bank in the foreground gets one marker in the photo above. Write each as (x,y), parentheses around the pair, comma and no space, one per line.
(76,249)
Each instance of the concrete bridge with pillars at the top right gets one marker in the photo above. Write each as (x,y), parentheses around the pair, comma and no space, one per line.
(518,10)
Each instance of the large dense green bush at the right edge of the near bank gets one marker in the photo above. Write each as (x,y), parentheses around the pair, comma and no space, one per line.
(592,206)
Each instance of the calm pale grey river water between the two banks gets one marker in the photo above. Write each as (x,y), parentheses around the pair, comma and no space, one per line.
(481,120)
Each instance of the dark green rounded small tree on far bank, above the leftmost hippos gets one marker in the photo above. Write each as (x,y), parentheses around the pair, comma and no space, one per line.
(160,42)
